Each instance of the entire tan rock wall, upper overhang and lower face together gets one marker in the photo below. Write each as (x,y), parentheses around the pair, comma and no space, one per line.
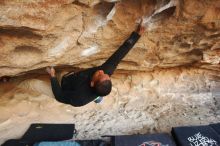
(170,78)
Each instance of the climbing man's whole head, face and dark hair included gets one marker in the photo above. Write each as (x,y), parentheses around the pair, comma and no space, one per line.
(101,82)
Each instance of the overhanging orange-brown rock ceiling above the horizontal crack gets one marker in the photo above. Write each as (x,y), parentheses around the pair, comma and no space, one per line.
(35,34)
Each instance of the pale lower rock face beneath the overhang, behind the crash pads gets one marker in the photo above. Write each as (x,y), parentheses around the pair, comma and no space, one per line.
(139,103)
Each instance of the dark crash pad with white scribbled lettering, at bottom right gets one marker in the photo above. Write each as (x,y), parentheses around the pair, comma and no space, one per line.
(195,136)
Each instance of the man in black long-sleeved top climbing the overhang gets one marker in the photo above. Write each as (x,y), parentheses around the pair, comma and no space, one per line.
(80,88)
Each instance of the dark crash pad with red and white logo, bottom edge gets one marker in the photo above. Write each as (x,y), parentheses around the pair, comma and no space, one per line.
(143,140)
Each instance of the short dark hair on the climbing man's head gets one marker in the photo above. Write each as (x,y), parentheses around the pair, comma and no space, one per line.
(103,88)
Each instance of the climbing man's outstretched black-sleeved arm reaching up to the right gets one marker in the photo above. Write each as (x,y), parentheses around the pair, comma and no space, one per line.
(111,64)
